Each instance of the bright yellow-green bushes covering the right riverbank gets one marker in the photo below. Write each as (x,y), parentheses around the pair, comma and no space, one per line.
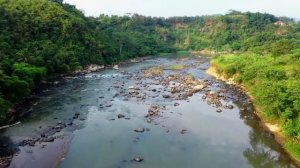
(274,85)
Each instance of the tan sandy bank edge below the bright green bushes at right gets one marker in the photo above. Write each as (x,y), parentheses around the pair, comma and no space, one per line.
(230,74)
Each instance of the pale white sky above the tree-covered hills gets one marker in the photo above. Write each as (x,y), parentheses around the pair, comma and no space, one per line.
(167,8)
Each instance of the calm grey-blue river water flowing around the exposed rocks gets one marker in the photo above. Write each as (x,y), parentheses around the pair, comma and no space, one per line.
(189,134)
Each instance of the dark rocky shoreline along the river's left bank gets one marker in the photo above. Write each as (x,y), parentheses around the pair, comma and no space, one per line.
(47,134)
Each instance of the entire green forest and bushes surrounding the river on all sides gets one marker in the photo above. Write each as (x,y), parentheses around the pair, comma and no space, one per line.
(44,38)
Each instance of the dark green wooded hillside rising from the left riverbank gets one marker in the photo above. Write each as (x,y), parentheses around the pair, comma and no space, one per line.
(40,38)
